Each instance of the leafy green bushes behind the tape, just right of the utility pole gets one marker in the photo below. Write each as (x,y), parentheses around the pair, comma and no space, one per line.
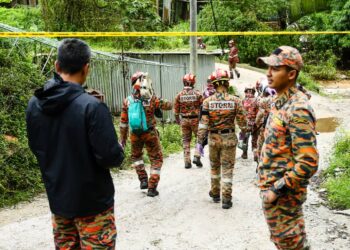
(233,17)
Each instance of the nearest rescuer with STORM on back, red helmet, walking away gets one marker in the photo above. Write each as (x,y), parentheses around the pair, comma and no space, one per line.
(218,116)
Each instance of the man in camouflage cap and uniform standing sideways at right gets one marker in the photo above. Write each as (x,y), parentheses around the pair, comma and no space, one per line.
(289,156)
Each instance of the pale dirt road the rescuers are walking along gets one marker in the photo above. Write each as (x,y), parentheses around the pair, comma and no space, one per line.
(183,216)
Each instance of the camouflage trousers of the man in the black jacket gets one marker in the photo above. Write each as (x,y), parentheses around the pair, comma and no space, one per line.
(91,232)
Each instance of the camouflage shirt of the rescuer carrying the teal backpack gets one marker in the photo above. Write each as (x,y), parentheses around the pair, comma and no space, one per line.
(150,106)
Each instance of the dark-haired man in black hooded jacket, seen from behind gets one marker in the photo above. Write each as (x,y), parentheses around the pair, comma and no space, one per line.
(73,138)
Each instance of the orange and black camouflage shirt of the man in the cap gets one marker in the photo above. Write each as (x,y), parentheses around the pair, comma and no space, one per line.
(289,156)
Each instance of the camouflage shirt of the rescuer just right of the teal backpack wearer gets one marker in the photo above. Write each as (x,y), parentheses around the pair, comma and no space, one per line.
(188,102)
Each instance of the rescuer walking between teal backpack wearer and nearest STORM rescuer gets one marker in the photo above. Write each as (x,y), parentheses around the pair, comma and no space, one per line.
(187,105)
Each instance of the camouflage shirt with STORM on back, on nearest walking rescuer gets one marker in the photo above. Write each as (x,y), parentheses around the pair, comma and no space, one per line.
(219,112)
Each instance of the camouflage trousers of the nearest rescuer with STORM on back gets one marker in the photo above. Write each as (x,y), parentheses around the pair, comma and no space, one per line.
(222,155)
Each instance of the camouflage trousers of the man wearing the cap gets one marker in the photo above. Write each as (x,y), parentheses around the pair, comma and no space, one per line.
(286,222)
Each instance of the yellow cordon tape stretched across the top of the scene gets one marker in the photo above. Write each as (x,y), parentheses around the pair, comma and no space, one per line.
(164,34)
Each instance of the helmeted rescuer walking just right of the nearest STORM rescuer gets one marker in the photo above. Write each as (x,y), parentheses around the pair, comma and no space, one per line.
(250,106)
